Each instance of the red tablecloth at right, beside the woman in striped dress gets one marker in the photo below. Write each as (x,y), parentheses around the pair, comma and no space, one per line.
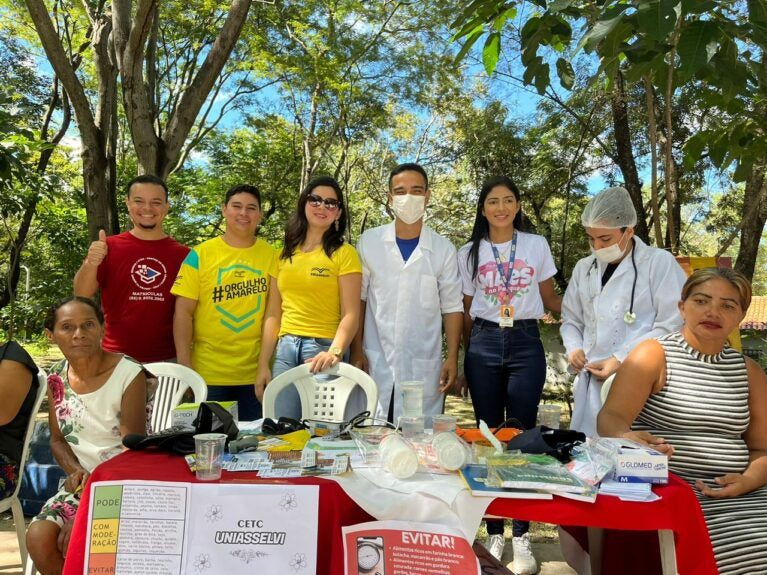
(677,510)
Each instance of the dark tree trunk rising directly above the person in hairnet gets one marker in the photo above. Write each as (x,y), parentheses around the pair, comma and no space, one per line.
(626,159)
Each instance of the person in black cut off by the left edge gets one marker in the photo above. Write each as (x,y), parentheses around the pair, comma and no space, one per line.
(18,388)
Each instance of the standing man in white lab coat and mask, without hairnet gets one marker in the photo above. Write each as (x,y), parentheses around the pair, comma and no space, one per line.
(410,286)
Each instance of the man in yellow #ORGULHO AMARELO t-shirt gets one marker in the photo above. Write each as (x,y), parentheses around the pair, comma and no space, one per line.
(221,292)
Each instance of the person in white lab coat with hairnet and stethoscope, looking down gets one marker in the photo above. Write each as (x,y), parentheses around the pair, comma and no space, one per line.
(622,294)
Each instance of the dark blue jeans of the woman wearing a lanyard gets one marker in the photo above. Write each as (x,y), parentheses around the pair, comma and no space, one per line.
(506,370)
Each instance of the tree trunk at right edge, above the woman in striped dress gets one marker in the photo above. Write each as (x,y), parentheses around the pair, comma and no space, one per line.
(753,216)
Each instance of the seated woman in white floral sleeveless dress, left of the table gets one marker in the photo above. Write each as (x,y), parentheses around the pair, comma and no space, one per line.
(95,399)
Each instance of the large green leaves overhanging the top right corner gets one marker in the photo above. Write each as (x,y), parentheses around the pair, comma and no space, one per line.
(714,44)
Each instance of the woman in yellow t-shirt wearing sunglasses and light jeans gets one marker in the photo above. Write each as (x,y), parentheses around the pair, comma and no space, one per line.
(313,309)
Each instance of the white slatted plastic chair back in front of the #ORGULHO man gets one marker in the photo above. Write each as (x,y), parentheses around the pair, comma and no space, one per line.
(173,381)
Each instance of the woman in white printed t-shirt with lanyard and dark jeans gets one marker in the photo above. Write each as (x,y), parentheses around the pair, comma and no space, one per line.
(506,276)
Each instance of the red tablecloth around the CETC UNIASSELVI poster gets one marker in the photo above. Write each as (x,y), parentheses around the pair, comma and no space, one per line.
(336,509)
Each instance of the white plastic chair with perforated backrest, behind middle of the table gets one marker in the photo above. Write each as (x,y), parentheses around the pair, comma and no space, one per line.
(322,399)
